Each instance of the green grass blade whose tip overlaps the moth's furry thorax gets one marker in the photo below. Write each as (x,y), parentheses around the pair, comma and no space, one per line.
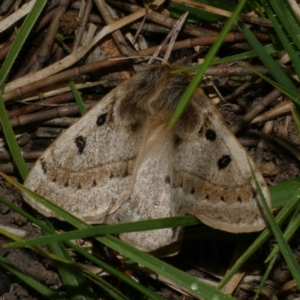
(209,57)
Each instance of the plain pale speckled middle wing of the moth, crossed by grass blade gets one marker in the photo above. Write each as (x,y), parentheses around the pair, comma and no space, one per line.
(151,198)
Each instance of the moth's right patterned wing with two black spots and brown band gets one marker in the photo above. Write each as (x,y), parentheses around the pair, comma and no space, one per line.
(211,176)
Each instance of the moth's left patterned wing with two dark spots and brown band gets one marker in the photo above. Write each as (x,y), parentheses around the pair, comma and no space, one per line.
(89,166)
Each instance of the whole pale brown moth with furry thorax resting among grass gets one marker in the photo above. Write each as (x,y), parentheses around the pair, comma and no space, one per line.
(121,163)
